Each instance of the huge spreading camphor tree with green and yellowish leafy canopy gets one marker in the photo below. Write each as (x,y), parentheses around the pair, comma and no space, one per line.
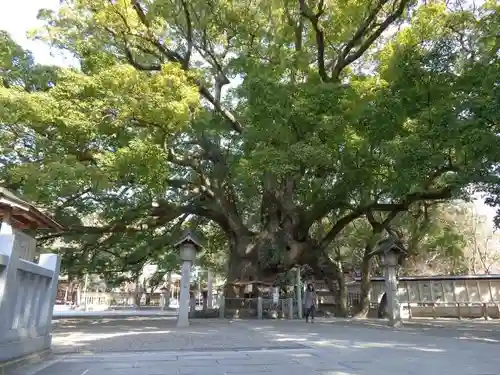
(279,122)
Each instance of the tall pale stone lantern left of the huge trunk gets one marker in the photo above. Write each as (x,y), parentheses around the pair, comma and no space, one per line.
(188,245)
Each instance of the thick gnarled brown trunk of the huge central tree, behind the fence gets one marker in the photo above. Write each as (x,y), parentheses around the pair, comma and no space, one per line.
(280,246)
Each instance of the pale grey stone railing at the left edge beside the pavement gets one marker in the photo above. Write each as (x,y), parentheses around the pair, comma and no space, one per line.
(27,297)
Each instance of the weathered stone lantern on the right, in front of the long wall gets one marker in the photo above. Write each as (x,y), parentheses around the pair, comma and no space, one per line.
(391,252)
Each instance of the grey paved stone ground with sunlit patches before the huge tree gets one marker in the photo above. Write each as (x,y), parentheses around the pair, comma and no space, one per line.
(153,346)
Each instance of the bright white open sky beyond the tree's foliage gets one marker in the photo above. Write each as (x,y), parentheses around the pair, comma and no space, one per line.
(19,16)
